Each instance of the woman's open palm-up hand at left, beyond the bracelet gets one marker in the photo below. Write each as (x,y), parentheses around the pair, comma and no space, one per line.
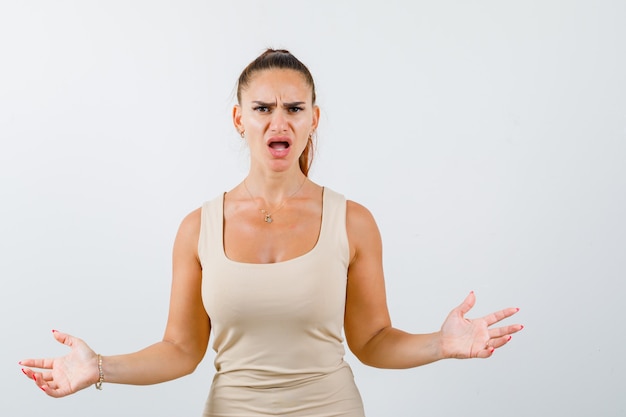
(67,374)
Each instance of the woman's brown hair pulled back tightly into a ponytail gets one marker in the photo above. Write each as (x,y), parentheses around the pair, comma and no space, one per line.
(281,59)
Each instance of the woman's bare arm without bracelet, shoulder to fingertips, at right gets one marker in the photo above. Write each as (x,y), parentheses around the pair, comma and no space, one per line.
(369,332)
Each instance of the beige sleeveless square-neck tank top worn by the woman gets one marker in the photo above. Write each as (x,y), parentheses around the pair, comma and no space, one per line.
(279,324)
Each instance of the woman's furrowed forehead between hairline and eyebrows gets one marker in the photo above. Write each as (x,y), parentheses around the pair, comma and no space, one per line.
(274,83)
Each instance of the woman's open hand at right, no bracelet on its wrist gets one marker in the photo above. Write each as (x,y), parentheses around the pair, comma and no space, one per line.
(463,338)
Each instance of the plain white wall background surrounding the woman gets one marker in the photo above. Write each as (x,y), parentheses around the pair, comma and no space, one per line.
(488,138)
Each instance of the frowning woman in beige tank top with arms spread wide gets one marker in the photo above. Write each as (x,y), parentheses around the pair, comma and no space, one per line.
(276,269)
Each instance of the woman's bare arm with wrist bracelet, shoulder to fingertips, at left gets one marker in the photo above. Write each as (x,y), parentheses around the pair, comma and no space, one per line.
(182,348)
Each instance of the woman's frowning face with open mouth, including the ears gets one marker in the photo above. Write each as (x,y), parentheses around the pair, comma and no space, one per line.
(277,114)
